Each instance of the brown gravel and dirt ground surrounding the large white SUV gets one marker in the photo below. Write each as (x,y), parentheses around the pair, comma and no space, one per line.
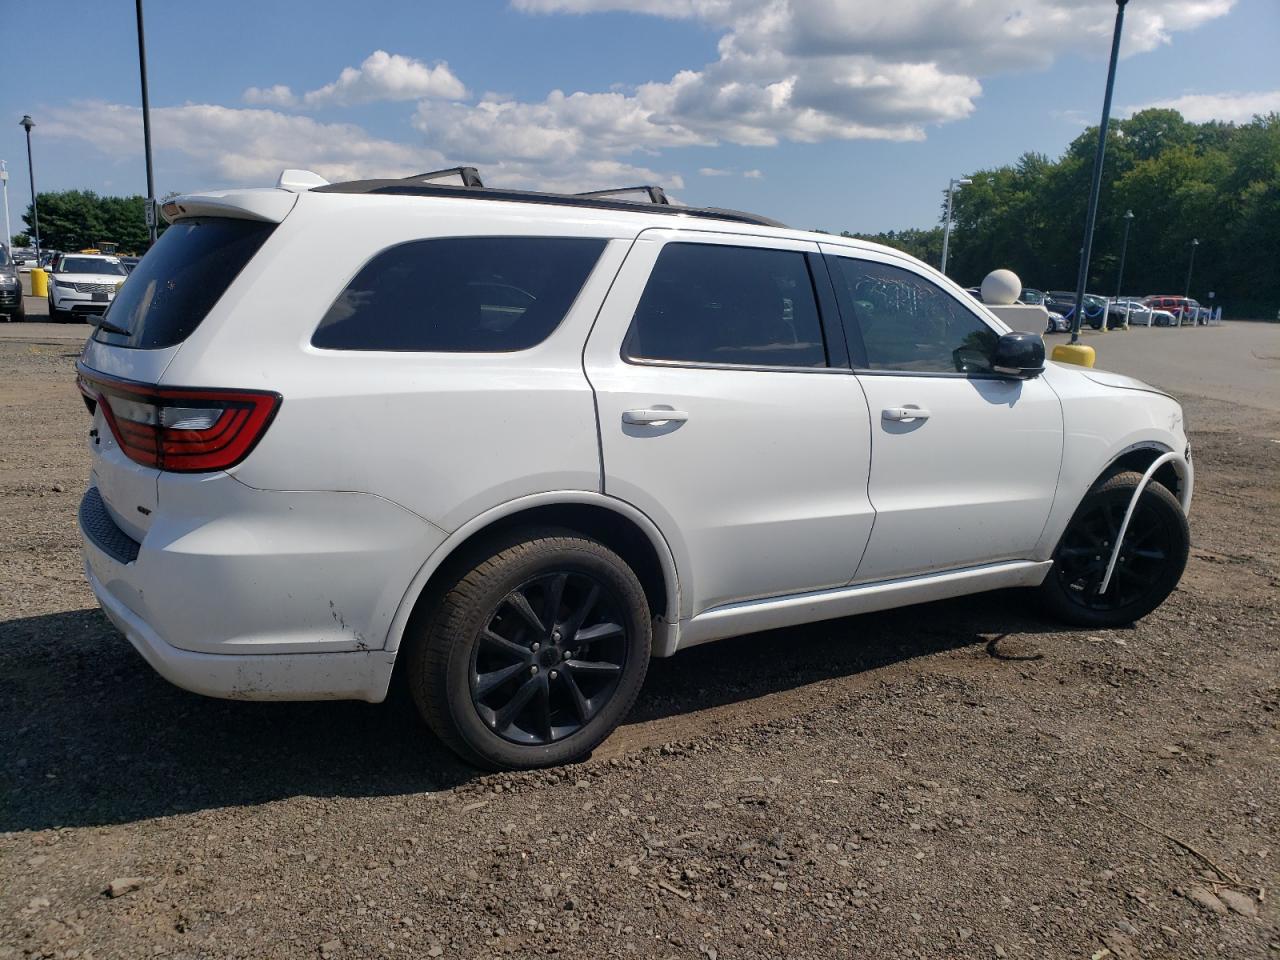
(961,780)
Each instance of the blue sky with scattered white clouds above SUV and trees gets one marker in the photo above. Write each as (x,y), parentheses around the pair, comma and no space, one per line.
(830,115)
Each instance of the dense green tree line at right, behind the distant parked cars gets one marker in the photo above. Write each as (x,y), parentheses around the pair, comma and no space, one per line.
(1214,182)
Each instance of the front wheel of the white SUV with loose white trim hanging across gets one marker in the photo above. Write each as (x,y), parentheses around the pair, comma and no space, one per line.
(1150,565)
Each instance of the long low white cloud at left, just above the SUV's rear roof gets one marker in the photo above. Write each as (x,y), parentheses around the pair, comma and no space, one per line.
(230,147)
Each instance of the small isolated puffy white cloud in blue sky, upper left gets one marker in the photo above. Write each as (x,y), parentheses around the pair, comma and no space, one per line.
(381,77)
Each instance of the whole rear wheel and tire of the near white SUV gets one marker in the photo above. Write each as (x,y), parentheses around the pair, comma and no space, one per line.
(534,655)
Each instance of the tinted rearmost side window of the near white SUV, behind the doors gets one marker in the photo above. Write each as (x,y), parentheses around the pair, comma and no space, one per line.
(483,295)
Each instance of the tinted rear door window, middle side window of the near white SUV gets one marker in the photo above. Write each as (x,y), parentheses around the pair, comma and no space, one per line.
(708,304)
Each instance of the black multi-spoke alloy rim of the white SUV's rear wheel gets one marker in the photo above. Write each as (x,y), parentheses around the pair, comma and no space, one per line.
(550,659)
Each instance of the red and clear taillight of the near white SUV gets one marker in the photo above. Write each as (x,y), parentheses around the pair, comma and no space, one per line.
(179,429)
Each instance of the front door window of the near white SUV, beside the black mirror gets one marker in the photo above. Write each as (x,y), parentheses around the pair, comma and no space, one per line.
(912,324)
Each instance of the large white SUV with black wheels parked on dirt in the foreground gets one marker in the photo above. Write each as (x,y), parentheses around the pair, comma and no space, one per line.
(516,445)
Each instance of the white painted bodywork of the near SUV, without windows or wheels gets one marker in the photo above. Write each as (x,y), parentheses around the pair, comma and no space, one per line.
(776,497)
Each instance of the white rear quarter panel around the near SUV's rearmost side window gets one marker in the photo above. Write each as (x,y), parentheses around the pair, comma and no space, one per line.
(446,436)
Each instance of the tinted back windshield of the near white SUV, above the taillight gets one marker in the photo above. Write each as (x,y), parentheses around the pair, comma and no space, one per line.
(177,284)
